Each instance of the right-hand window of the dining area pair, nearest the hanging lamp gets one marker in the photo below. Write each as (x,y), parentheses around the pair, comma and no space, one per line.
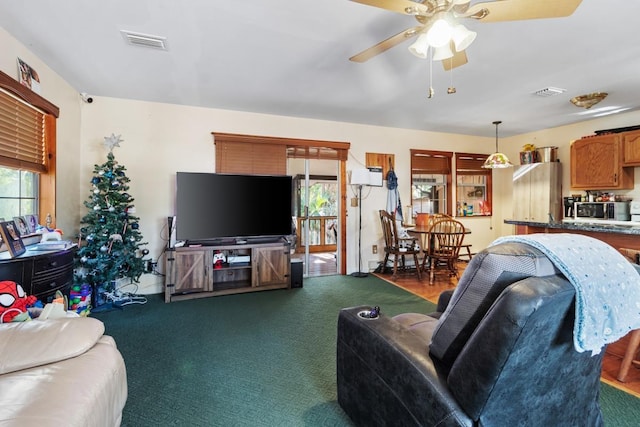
(473,185)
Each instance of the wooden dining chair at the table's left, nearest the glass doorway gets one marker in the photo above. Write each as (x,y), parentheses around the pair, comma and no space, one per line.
(397,246)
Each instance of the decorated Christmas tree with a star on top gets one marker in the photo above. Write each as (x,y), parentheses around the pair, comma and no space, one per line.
(113,240)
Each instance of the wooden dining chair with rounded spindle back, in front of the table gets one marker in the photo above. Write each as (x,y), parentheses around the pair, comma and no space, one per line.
(445,239)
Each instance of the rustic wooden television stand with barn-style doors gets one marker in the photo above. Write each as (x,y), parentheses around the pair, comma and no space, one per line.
(192,272)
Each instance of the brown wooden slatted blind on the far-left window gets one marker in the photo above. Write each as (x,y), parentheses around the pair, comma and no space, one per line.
(22,135)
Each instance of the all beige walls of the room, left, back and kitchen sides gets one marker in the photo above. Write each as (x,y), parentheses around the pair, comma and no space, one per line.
(160,139)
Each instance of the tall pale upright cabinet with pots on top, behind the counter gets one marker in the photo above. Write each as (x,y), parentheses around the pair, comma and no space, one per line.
(537,192)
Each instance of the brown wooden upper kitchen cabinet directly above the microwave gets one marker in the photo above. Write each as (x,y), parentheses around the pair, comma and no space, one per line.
(596,164)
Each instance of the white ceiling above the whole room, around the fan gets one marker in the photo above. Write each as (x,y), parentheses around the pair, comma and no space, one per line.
(290,58)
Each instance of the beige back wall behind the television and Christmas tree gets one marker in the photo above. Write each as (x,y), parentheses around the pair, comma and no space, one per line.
(161,139)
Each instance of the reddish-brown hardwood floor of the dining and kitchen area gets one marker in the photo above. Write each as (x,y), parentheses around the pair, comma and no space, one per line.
(613,356)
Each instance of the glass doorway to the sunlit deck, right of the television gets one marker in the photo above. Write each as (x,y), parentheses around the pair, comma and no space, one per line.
(316,207)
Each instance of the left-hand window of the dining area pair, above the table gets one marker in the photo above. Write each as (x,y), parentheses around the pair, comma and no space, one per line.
(430,181)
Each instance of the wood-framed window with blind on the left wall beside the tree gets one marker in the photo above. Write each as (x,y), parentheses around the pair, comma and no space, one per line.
(27,151)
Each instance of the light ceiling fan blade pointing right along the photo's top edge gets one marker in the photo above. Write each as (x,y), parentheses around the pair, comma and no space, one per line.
(516,10)
